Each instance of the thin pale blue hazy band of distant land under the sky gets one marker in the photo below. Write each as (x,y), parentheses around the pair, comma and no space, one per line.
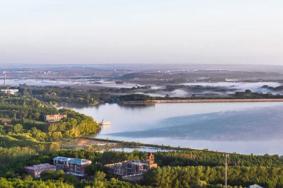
(141,67)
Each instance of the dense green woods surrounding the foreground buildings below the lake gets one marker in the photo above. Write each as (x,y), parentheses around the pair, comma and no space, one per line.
(177,173)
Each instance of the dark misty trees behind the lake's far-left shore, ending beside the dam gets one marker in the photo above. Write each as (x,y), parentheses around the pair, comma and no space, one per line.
(82,96)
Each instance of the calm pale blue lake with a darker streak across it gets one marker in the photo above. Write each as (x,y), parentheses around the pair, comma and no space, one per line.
(231,127)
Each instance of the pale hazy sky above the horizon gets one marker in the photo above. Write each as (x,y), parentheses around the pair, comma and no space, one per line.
(141,31)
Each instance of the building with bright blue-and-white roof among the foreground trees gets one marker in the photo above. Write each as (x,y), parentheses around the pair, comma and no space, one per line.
(73,166)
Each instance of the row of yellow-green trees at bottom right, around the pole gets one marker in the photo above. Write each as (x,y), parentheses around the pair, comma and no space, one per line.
(201,176)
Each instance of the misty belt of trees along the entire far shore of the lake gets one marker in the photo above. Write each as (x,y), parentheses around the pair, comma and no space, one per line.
(79,96)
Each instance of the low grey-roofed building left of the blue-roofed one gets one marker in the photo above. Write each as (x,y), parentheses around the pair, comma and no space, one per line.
(37,170)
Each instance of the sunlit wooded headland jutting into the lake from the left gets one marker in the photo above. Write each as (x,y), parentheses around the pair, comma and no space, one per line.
(24,115)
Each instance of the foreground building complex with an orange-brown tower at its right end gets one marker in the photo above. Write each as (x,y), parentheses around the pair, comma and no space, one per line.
(132,170)
